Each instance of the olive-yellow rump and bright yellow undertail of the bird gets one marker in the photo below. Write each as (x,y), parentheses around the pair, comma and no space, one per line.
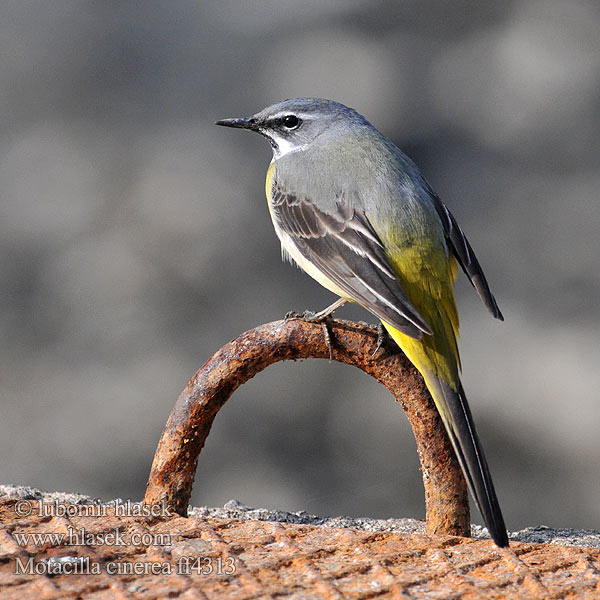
(428,283)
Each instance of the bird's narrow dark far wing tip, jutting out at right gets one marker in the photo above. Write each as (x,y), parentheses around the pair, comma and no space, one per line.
(466,257)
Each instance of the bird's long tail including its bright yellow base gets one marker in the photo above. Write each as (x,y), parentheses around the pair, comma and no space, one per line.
(452,405)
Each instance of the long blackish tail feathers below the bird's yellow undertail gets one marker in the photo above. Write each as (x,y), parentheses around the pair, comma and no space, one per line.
(469,452)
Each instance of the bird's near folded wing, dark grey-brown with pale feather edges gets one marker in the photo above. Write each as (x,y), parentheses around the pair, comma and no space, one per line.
(343,246)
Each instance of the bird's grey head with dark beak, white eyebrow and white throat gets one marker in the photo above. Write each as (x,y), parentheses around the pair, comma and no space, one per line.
(295,123)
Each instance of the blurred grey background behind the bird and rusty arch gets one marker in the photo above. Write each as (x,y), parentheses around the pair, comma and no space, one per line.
(135,241)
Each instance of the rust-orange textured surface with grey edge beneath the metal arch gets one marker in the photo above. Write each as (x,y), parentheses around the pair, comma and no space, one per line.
(313,557)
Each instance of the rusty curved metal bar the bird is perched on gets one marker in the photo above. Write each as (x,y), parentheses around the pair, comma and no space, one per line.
(174,466)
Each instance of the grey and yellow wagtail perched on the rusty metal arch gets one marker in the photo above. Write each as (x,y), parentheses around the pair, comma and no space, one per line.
(355,213)
